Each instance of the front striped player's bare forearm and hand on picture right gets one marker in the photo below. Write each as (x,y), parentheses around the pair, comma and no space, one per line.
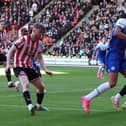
(41,62)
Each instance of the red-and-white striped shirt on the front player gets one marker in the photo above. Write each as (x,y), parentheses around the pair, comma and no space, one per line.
(26,52)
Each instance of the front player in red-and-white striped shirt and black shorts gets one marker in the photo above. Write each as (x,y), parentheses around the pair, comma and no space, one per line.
(26,49)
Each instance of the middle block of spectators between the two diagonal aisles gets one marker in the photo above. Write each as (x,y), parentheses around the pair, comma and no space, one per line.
(60,17)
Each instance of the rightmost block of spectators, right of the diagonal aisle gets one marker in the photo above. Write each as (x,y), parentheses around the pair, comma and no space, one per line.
(83,39)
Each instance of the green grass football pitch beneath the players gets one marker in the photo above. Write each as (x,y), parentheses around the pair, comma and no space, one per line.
(63,99)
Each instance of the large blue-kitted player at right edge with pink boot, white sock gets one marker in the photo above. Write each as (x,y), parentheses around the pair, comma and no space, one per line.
(115,62)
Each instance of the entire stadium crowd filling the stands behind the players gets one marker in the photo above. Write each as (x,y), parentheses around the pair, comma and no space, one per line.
(60,17)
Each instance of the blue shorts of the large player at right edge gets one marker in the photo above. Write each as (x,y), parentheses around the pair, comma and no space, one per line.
(115,62)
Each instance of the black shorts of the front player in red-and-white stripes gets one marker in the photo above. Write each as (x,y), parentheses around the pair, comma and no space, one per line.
(31,73)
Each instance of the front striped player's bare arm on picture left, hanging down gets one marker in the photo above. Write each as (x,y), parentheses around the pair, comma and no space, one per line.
(9,55)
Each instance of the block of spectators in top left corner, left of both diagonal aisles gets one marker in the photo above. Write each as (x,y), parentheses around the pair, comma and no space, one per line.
(21,11)
